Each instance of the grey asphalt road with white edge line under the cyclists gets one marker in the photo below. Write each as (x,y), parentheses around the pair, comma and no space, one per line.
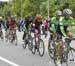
(11,55)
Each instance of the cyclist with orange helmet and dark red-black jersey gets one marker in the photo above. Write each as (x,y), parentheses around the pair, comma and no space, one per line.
(36,24)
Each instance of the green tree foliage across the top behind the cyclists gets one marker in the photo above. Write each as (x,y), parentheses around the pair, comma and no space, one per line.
(22,8)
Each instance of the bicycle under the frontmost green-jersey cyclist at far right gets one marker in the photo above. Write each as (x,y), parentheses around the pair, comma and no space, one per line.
(66,51)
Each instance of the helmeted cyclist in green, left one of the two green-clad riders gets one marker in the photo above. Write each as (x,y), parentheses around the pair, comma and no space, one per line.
(54,24)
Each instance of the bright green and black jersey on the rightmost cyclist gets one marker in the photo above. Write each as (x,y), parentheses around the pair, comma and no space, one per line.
(70,22)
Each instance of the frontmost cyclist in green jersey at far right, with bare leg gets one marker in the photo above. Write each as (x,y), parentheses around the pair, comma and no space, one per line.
(65,28)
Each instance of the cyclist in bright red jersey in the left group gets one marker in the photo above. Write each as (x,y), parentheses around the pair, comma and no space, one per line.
(12,29)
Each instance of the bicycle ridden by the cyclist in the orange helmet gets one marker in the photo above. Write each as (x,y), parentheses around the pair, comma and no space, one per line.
(38,44)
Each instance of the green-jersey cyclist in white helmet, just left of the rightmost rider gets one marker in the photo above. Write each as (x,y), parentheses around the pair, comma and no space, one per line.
(54,27)
